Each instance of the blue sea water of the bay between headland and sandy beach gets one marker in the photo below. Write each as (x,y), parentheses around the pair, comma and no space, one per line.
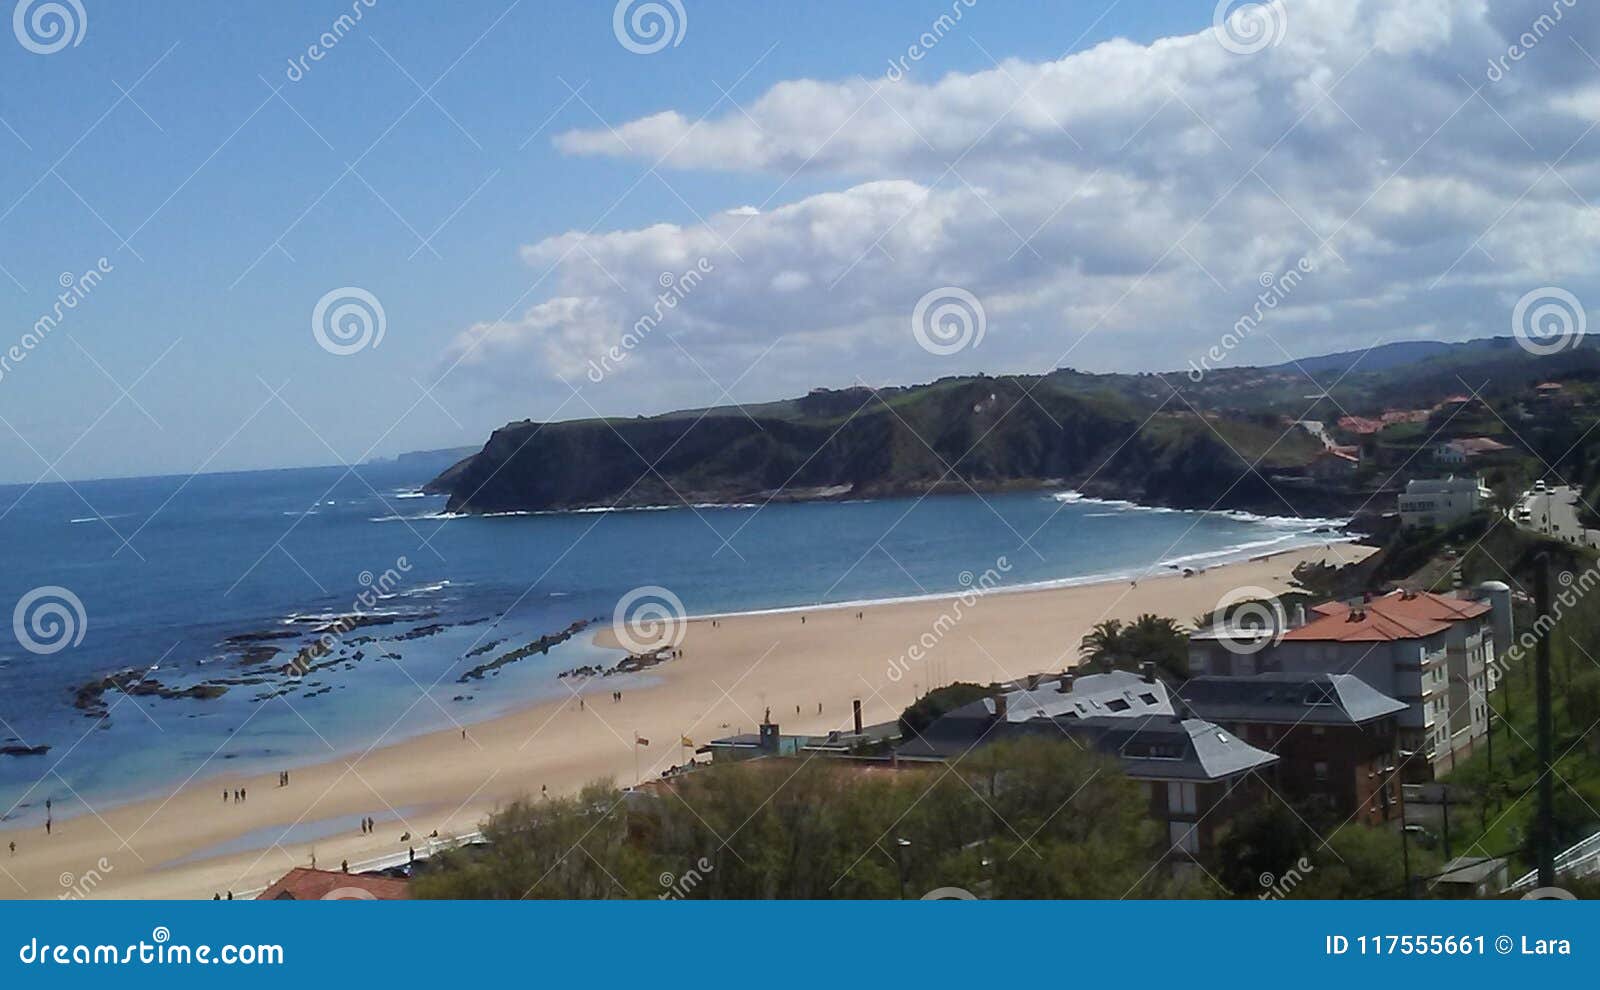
(169,569)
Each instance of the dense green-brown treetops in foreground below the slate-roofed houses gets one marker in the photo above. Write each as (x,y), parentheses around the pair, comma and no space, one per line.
(1028,820)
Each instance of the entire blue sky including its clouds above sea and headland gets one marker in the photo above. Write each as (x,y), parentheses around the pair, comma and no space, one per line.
(225,210)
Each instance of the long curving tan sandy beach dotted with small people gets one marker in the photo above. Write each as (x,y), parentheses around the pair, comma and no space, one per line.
(177,844)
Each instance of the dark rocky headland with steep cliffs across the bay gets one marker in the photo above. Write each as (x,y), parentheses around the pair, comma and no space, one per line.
(953,436)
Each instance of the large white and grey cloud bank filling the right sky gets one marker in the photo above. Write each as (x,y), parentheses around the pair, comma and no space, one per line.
(1111,209)
